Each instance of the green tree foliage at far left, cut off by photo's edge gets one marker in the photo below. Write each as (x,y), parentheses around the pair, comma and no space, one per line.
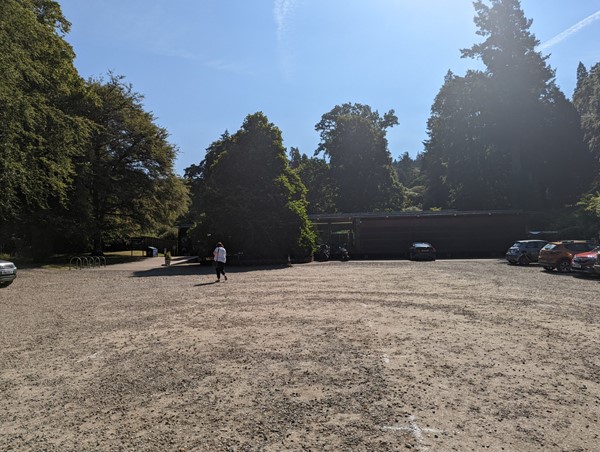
(39,135)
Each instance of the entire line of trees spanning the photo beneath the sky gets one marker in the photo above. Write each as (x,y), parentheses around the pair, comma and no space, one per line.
(83,165)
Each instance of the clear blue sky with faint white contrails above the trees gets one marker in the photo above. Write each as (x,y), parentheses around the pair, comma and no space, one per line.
(203,65)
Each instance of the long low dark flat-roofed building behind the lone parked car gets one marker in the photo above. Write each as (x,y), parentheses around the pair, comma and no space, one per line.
(452,233)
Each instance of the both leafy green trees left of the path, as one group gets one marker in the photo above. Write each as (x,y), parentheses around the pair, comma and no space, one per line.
(81,162)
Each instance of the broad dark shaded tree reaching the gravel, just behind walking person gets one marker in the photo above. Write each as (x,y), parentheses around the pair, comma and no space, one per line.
(253,201)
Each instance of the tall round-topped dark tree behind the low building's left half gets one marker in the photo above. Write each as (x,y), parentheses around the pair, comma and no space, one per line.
(353,137)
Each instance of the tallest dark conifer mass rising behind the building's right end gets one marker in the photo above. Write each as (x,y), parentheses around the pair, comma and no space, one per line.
(506,137)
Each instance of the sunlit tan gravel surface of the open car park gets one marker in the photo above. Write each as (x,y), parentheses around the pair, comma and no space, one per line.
(362,356)
